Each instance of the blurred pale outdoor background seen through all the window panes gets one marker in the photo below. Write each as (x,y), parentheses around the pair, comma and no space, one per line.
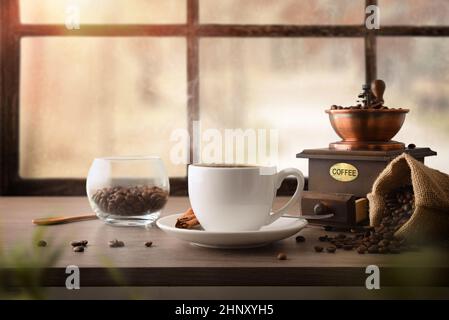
(83,97)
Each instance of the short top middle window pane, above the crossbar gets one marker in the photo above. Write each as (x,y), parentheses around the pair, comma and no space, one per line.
(282,11)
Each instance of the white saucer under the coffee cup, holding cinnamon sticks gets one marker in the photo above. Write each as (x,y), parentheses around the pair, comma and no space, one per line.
(278,230)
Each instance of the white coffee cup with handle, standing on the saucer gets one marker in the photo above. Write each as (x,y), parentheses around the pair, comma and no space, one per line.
(238,198)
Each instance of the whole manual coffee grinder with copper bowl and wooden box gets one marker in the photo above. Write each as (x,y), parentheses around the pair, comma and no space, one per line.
(341,175)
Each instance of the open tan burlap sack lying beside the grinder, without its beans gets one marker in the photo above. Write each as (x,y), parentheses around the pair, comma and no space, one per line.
(430,220)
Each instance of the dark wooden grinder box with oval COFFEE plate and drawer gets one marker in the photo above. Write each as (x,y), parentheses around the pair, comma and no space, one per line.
(339,181)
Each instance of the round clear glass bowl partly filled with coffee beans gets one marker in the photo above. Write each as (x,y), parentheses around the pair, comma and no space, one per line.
(128,191)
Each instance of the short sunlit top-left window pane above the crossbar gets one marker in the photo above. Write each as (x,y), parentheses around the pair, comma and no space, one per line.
(103,11)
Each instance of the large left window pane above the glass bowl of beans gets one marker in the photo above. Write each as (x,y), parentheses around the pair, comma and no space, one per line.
(83,97)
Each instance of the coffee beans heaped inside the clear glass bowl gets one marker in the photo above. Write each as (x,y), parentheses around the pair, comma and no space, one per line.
(130,201)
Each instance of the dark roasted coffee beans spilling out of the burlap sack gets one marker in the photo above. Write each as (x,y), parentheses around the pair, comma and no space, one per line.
(400,205)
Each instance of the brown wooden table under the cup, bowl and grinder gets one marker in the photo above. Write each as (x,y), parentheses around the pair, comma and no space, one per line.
(171,262)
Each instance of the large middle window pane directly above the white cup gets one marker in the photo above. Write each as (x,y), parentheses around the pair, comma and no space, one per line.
(283,84)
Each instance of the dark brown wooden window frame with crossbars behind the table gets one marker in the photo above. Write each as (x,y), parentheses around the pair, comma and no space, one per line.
(12,30)
